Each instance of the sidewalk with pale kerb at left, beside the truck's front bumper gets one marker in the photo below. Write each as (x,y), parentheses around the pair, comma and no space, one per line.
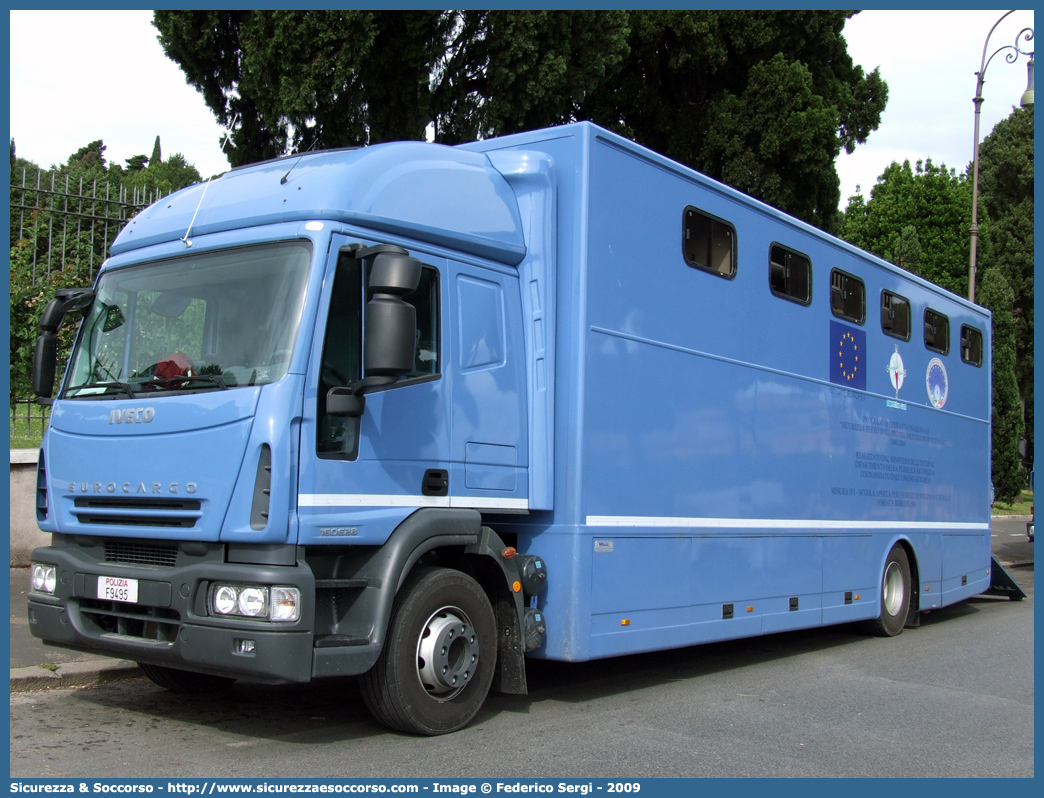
(37,667)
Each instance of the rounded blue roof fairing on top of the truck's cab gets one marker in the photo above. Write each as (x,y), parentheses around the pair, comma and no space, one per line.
(432,193)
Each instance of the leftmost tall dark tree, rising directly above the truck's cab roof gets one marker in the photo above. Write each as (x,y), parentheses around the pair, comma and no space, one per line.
(303,80)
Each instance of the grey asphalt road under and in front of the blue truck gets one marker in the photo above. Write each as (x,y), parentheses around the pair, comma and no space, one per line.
(954,698)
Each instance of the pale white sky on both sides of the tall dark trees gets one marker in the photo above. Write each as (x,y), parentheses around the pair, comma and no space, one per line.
(130,92)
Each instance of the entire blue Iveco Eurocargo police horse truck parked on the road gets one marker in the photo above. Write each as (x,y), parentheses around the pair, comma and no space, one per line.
(417,413)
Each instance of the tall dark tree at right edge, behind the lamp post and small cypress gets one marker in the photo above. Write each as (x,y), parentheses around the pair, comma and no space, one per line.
(1007,192)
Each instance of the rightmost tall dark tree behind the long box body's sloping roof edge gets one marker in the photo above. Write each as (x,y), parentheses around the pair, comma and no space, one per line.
(764,101)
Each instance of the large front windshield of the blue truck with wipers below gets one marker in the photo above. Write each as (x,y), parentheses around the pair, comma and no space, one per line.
(212,321)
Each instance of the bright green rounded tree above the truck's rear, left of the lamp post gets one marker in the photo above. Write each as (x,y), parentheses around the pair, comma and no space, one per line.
(932,199)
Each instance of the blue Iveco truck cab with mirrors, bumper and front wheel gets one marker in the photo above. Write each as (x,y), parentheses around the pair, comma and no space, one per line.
(295,395)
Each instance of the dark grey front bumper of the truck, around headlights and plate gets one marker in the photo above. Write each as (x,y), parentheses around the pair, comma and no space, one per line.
(171,624)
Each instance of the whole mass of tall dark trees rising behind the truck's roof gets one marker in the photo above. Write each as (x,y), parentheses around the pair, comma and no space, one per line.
(765,101)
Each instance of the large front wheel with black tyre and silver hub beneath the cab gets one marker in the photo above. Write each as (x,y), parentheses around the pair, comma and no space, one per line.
(437,666)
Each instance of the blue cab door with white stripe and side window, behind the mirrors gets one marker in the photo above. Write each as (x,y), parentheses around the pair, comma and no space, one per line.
(362,477)
